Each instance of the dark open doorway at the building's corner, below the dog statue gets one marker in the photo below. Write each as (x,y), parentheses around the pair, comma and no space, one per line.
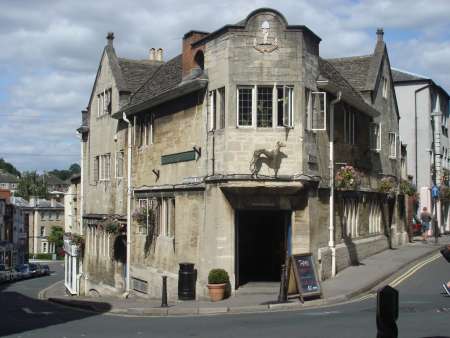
(260,245)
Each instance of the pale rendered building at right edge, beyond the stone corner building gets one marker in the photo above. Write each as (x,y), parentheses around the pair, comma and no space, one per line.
(424,107)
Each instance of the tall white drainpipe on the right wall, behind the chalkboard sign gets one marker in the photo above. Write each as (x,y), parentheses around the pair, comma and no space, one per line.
(331,242)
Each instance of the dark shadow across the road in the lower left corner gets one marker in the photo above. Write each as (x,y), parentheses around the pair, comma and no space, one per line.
(20,313)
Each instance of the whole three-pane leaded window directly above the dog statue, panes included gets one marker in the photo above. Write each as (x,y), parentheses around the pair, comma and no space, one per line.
(265,106)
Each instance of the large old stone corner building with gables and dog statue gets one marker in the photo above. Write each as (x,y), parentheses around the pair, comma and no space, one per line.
(220,156)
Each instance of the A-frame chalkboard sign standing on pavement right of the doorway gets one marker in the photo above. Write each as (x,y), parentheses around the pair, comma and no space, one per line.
(302,277)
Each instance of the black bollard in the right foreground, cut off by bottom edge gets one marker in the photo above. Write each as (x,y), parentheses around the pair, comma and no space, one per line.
(387,312)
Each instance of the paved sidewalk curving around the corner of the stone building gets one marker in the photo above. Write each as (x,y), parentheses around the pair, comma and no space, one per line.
(346,285)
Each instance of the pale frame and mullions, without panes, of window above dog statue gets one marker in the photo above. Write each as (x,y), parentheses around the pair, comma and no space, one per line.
(254,98)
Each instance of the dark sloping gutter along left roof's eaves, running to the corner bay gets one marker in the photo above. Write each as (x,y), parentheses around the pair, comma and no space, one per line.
(182,89)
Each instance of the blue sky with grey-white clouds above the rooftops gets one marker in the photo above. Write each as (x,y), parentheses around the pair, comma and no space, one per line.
(51,50)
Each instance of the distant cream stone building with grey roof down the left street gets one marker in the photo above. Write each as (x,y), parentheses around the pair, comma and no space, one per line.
(43,216)
